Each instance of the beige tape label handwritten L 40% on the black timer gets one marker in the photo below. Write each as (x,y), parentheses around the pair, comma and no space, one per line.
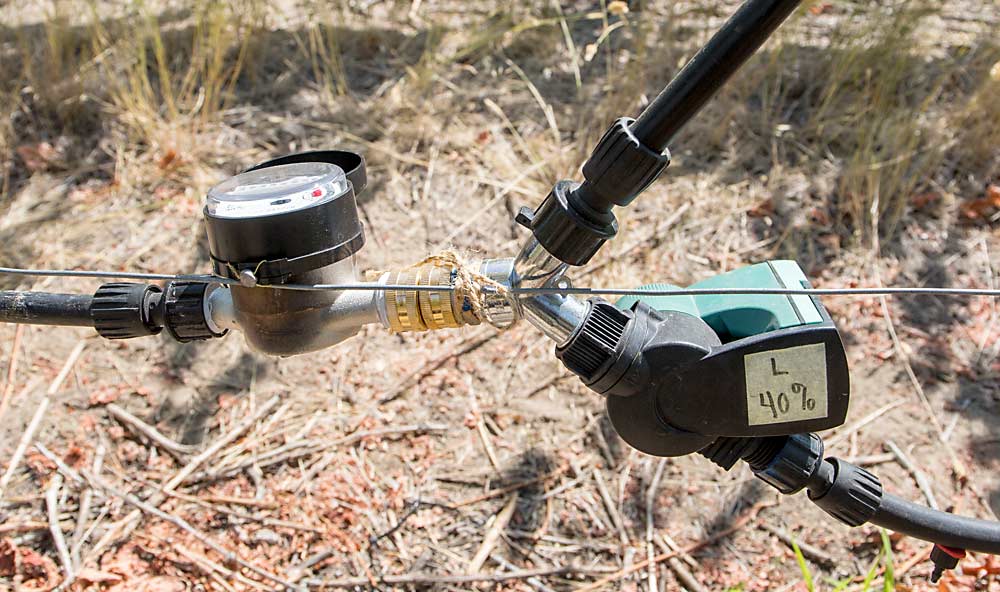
(786,384)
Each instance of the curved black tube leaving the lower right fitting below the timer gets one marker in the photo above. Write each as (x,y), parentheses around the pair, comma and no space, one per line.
(938,527)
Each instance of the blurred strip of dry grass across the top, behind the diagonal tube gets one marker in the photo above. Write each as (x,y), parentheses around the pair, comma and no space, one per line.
(873,106)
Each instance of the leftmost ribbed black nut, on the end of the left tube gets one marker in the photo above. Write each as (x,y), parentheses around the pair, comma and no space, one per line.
(122,310)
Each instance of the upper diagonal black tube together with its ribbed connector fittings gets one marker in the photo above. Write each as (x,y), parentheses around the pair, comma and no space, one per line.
(576,219)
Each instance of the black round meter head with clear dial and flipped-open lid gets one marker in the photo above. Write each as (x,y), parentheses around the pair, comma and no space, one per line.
(287,216)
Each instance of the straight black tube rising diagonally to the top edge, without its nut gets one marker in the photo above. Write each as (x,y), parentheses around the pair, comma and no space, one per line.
(709,69)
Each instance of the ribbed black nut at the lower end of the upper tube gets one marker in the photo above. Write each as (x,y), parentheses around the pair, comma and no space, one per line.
(620,167)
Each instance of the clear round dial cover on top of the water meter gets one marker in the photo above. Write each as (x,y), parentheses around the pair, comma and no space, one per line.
(276,190)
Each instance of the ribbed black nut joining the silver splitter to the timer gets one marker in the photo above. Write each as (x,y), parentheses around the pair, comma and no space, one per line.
(593,345)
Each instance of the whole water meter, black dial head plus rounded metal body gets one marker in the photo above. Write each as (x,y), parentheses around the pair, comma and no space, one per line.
(293,220)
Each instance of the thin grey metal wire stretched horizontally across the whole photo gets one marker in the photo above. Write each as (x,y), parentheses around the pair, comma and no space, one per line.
(605,291)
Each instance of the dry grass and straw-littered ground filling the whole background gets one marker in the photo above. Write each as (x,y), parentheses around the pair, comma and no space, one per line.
(117,117)
